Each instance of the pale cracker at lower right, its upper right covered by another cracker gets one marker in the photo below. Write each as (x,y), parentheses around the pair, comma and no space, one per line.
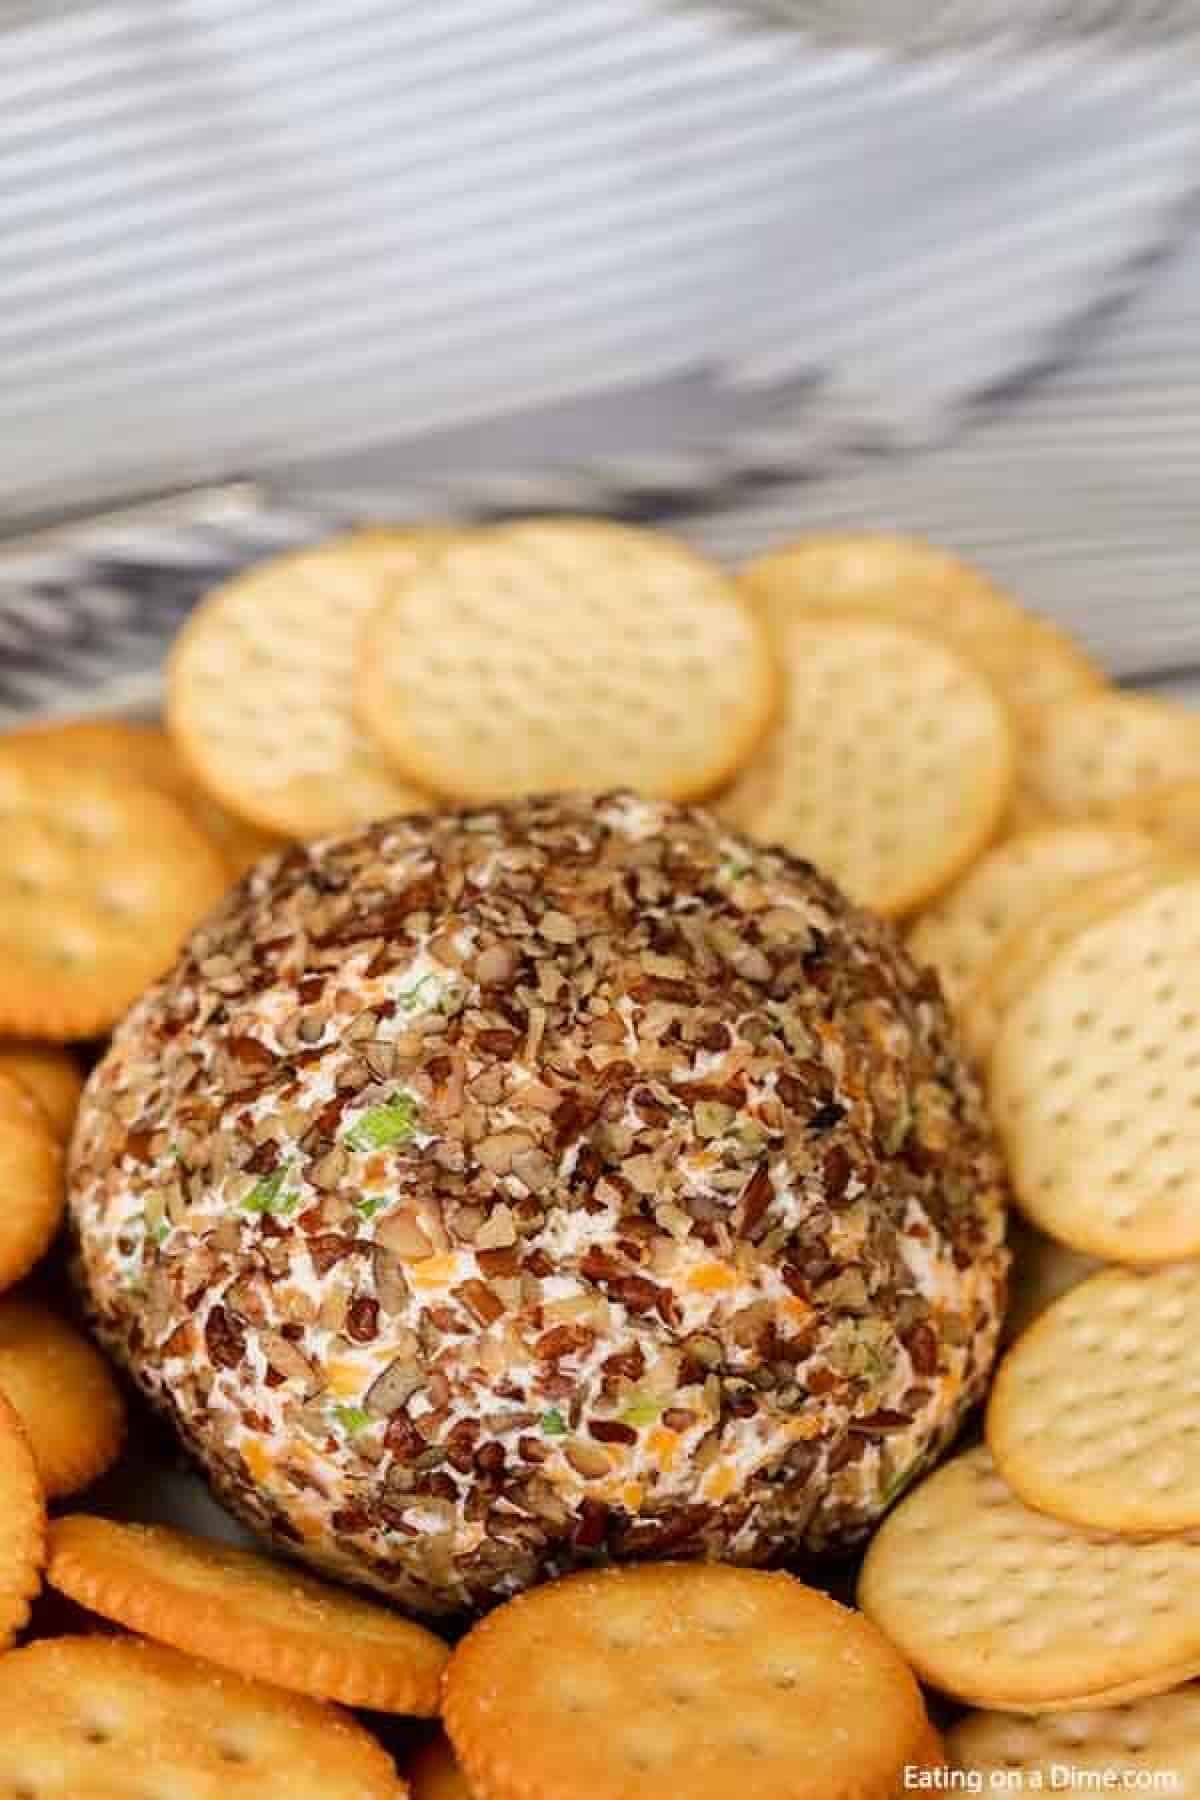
(1005,1606)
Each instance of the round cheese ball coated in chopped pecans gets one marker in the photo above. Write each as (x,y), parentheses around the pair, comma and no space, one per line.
(506,1191)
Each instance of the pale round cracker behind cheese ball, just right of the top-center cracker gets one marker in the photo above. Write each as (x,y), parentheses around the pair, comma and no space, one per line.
(890,766)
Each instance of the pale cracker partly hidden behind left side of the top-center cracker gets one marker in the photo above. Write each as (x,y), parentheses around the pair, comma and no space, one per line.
(260,687)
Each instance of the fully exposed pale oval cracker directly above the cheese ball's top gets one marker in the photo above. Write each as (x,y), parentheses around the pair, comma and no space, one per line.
(568,656)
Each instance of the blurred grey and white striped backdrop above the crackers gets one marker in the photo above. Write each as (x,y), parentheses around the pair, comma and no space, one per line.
(737,269)
